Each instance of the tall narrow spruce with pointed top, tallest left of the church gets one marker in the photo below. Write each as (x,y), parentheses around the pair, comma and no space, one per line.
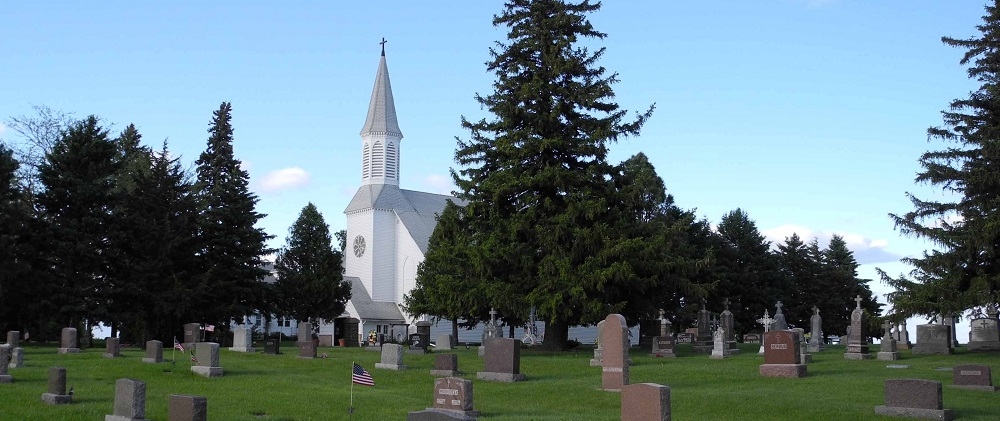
(232,248)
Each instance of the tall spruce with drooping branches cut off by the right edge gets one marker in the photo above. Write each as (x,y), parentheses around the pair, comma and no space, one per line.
(963,271)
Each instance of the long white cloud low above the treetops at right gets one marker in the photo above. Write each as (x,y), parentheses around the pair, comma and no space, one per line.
(866,250)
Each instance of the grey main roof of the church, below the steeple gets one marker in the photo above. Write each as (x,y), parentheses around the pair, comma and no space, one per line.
(416,210)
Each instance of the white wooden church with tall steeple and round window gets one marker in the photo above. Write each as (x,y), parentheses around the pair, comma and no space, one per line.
(388,228)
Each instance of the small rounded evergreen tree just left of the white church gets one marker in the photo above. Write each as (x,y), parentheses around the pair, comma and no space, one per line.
(311,284)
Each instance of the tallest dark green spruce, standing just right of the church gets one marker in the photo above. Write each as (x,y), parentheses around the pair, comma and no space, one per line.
(536,177)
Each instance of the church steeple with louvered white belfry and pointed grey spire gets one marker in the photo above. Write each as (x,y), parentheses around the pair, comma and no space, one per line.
(380,136)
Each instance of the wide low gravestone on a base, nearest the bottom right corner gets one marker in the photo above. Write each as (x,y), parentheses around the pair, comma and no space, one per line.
(914,398)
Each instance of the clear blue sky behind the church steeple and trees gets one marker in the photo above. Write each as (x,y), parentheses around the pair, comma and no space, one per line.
(809,115)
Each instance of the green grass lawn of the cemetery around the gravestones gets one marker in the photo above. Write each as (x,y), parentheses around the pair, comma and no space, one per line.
(559,386)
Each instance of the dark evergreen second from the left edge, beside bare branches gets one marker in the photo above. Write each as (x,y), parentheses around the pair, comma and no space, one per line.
(76,203)
